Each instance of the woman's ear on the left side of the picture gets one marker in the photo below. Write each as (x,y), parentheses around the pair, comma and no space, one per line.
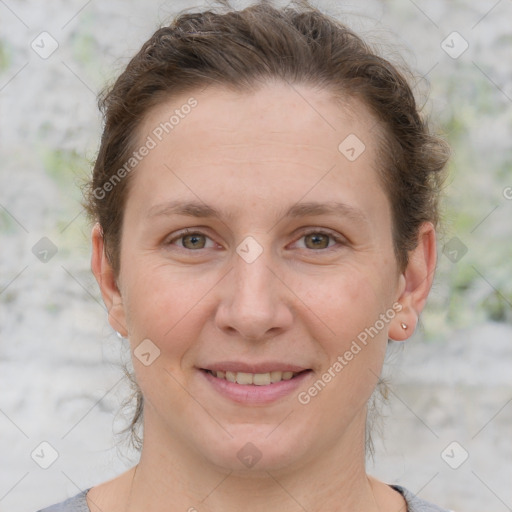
(104,274)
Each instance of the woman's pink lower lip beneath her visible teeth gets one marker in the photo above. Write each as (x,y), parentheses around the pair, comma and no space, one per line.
(251,394)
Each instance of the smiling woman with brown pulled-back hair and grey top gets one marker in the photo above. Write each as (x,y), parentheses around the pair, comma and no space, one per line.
(265,198)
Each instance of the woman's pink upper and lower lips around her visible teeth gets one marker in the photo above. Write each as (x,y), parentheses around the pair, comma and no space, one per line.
(251,394)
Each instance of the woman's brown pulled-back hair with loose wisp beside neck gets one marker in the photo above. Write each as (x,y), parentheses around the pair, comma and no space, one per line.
(244,49)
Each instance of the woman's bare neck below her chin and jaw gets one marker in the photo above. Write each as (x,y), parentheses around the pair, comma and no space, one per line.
(334,479)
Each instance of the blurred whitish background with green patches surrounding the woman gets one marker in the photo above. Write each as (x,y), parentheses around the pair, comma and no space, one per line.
(446,430)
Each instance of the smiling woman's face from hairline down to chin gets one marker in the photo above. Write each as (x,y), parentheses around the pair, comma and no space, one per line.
(254,250)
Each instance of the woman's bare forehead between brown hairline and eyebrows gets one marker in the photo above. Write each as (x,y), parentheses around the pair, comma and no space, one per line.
(273,146)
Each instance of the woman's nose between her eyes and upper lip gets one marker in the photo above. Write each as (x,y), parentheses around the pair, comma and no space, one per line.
(255,303)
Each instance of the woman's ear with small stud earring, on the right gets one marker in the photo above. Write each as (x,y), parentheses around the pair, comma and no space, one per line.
(415,284)
